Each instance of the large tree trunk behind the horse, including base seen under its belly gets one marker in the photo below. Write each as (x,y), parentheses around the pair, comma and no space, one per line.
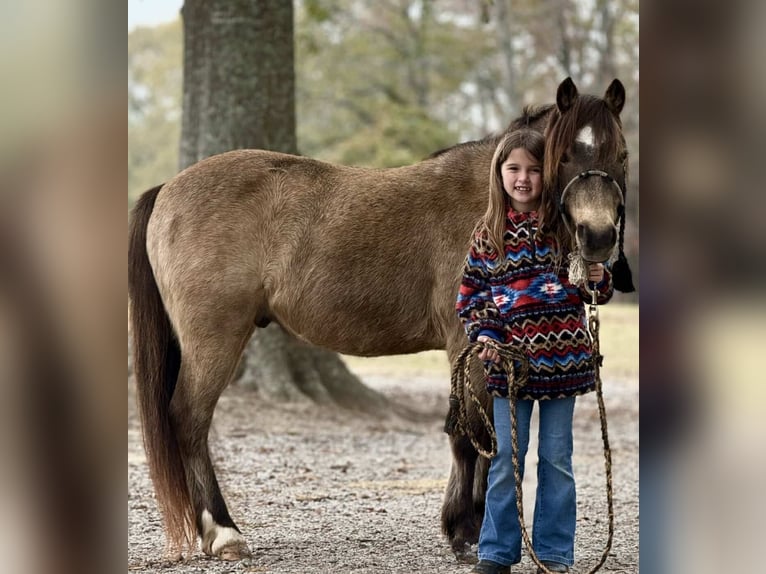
(239,92)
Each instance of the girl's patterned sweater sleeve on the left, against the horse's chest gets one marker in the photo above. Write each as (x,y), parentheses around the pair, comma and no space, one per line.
(475,306)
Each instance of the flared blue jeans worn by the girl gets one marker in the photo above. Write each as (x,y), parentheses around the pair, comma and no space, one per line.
(555,505)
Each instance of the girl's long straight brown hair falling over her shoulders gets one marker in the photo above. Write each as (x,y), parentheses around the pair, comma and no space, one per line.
(493,222)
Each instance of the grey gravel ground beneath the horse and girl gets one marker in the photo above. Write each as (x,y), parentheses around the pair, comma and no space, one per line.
(324,490)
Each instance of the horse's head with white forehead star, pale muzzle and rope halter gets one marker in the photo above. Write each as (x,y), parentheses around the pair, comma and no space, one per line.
(586,163)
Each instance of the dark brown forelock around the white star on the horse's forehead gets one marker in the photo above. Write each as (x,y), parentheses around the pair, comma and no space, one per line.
(564,127)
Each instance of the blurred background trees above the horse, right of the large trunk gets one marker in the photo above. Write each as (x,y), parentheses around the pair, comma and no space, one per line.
(388,82)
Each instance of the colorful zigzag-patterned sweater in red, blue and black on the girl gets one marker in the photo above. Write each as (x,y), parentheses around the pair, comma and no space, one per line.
(520,300)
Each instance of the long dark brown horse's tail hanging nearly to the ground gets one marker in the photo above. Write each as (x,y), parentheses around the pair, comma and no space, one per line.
(157,361)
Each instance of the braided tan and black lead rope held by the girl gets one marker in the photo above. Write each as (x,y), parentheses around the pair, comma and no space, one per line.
(517,375)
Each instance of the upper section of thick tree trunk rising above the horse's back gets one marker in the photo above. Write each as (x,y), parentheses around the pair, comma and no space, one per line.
(239,79)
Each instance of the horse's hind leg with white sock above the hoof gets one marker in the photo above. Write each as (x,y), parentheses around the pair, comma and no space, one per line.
(205,371)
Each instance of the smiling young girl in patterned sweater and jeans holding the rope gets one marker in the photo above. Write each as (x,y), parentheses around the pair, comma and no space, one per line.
(515,290)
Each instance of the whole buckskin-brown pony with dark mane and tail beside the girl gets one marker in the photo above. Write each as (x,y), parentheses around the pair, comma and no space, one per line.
(360,261)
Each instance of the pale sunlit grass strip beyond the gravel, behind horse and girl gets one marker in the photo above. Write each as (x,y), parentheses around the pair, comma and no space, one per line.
(618,338)
